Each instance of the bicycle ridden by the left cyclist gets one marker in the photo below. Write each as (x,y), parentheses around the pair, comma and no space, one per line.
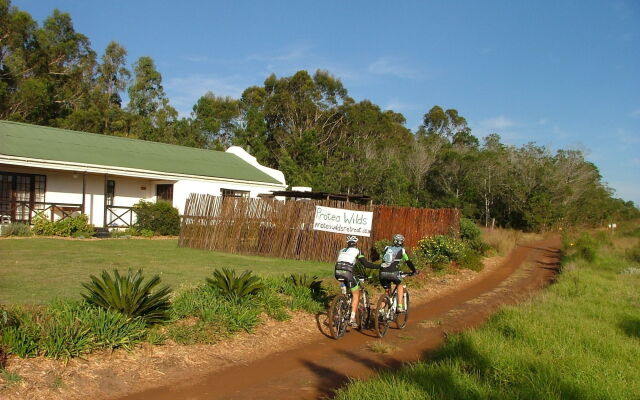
(340,311)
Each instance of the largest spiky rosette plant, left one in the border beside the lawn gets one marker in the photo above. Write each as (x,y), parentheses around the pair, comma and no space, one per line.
(129,295)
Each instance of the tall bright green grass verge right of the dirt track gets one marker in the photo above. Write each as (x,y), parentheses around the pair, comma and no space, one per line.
(579,339)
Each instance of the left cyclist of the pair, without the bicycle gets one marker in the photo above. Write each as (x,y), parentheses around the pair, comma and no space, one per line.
(347,260)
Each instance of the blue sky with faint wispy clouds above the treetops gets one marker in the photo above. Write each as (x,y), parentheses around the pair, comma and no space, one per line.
(563,74)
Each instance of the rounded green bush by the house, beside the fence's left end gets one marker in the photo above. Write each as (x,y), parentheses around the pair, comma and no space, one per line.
(160,218)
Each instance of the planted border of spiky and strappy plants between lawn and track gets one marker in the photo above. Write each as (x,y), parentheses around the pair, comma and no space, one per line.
(121,311)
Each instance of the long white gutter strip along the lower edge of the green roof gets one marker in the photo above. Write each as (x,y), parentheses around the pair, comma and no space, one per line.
(122,171)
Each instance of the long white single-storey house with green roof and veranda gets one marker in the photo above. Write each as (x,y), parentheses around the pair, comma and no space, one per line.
(59,172)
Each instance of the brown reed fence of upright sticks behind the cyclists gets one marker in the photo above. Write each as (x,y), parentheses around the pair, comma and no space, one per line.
(274,228)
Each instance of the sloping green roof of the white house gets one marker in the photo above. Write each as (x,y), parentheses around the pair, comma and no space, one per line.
(41,142)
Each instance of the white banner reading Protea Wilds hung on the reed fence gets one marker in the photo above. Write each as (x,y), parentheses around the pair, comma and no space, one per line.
(337,220)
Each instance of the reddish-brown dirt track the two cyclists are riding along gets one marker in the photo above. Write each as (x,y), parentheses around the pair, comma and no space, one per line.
(316,370)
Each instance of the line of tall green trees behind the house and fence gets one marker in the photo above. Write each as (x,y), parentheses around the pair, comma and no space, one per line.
(305,125)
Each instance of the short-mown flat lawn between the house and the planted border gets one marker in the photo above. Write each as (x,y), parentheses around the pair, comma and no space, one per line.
(37,270)
